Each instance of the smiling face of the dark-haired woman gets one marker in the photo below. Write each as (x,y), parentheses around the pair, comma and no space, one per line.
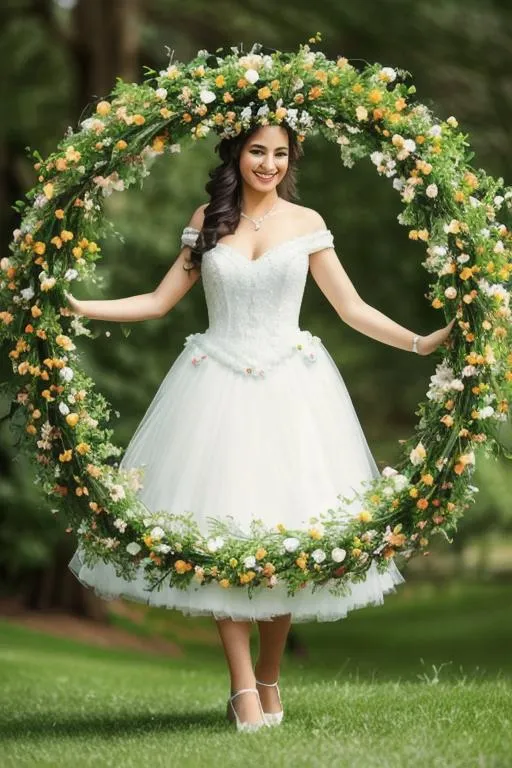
(264,158)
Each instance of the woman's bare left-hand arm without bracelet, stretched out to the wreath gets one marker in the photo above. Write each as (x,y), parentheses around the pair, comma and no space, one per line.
(145,306)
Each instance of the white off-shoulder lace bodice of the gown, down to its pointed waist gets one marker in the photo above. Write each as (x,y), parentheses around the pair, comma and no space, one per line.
(254,306)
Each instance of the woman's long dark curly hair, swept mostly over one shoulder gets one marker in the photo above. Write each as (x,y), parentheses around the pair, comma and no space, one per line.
(222,214)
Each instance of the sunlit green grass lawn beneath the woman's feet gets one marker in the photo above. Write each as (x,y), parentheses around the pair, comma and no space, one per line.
(425,680)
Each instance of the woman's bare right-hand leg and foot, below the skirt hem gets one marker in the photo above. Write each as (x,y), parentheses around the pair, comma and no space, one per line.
(272,643)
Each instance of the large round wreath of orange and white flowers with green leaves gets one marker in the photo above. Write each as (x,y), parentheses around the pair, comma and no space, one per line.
(455,211)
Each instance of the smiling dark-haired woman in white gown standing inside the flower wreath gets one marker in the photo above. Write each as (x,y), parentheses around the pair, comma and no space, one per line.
(261,425)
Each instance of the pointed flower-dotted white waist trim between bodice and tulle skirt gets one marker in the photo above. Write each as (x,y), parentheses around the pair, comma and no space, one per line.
(255,359)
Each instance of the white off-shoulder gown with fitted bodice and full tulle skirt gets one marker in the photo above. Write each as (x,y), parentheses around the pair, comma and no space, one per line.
(247,425)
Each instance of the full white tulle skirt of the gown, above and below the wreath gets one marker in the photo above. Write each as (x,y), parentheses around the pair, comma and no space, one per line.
(225,445)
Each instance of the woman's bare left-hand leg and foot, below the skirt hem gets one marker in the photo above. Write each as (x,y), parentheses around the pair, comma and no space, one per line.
(235,641)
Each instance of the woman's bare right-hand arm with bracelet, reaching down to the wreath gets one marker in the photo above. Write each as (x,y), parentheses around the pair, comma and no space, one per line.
(335,284)
